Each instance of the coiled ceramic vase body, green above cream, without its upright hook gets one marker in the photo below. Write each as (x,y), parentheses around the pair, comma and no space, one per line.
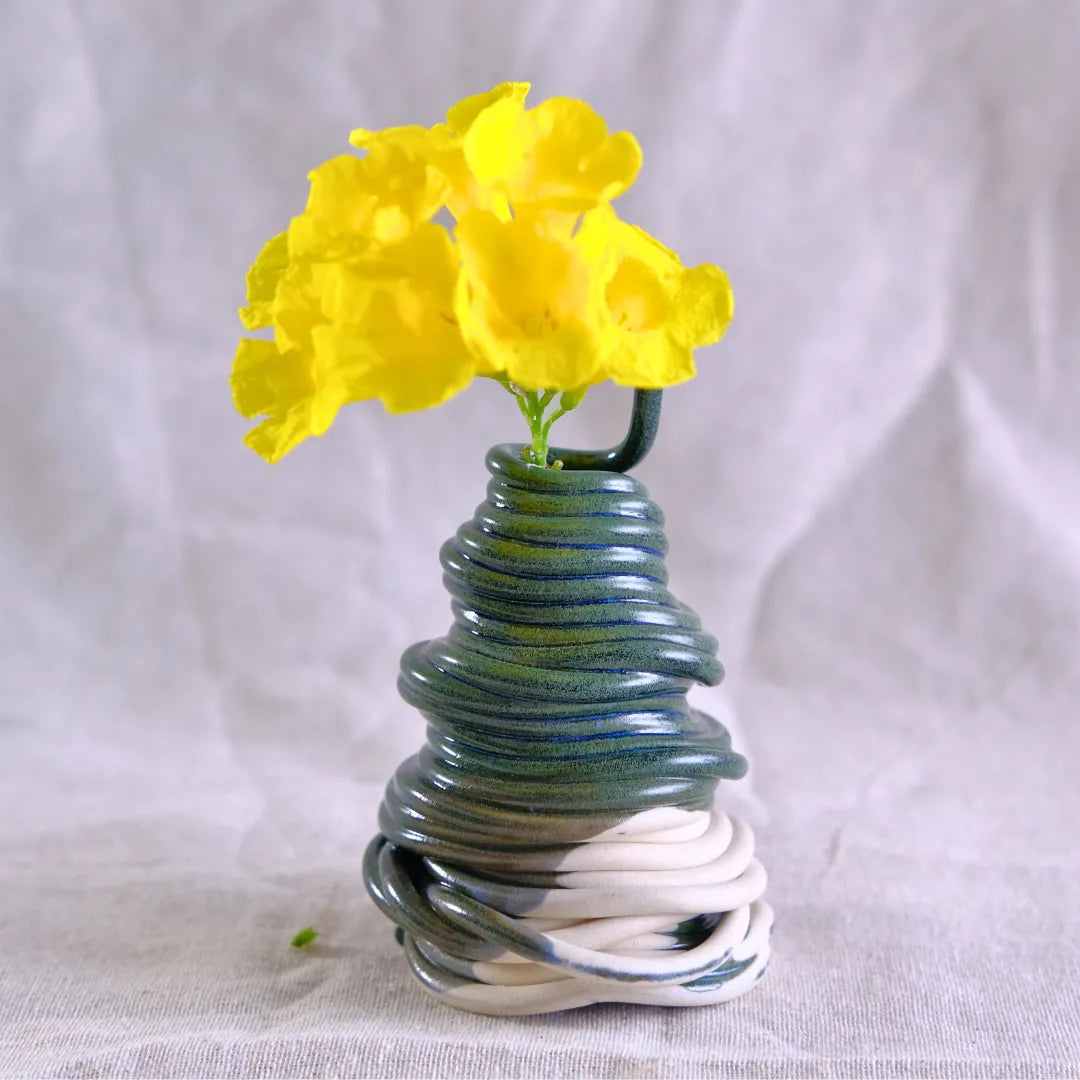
(556,843)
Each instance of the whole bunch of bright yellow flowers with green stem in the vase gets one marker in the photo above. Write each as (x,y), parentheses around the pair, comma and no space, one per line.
(369,299)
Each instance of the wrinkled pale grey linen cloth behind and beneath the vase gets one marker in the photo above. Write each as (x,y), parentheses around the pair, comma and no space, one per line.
(873,497)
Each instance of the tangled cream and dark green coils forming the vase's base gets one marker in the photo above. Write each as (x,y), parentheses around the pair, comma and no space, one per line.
(681,923)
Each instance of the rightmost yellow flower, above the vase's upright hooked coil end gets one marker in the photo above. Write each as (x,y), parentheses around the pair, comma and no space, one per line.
(657,312)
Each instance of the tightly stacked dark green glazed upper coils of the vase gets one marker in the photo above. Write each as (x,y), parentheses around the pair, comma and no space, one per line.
(557,705)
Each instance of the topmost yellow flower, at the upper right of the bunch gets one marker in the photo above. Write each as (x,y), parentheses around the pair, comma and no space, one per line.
(557,157)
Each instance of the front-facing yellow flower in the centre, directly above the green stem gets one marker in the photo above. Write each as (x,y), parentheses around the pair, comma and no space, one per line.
(525,303)
